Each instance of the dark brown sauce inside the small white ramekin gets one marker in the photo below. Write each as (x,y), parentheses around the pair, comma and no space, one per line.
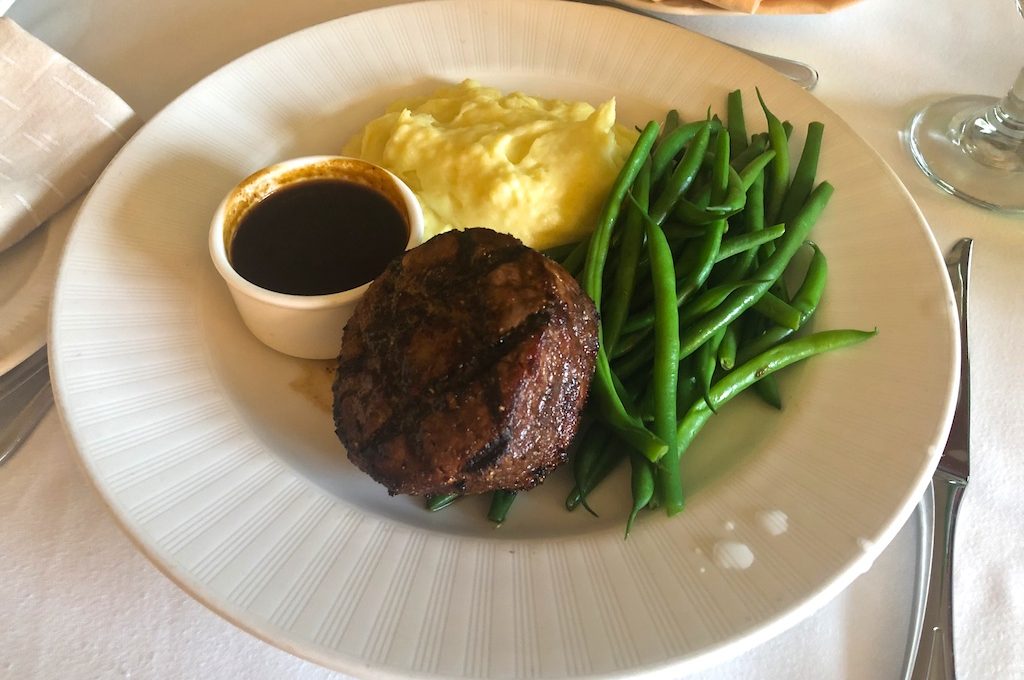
(318,237)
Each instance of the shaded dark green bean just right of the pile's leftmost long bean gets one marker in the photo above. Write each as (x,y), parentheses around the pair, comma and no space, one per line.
(629,254)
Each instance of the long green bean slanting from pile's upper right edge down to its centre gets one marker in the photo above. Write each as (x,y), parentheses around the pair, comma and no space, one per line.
(770,271)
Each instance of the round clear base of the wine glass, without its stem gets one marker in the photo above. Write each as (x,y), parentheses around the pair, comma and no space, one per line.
(935,141)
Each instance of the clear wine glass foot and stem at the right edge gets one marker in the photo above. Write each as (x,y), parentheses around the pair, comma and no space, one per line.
(973,147)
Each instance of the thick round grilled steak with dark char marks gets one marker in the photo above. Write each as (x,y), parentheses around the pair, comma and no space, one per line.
(465,367)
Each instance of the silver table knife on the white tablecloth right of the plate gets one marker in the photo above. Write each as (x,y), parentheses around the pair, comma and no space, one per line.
(934,657)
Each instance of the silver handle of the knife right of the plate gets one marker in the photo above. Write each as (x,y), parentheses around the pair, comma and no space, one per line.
(935,650)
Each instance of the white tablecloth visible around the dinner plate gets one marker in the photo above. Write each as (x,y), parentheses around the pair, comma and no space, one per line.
(79,602)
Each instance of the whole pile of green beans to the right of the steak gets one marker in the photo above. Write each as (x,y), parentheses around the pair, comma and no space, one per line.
(689,264)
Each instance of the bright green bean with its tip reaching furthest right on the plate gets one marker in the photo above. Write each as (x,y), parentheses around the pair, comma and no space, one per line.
(766,364)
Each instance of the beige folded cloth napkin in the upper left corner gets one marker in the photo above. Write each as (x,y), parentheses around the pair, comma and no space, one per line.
(59,130)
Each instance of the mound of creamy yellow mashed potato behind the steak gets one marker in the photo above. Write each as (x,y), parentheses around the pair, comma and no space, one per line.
(538,169)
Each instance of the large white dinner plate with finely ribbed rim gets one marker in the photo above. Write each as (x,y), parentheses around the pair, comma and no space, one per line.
(219,456)
